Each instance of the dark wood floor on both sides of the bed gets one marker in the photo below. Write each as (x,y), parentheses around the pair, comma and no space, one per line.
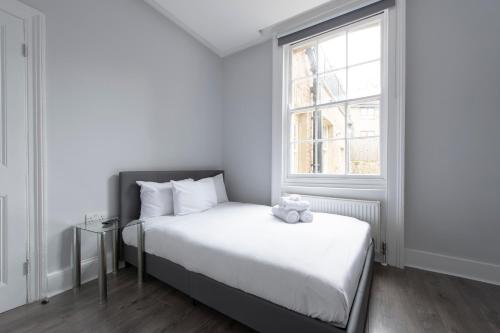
(402,301)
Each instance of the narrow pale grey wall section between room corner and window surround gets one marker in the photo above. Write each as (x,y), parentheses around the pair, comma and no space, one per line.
(247,97)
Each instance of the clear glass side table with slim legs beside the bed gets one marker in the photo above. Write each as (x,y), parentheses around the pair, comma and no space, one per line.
(100,229)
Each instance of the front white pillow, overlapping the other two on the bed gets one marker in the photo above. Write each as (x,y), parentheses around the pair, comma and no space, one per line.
(194,197)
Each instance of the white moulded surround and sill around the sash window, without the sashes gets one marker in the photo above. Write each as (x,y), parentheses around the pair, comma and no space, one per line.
(391,191)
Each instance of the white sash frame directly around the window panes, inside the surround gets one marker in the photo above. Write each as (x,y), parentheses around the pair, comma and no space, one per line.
(313,179)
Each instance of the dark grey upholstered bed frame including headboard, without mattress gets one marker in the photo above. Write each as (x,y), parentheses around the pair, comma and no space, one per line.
(248,309)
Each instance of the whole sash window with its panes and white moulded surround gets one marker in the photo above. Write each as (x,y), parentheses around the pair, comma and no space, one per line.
(339,108)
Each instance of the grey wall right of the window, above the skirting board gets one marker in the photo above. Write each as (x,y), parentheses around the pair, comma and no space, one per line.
(452,128)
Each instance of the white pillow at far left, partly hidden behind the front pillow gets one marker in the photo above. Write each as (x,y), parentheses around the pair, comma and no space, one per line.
(156,199)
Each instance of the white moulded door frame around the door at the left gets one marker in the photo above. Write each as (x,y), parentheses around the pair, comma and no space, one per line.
(36,247)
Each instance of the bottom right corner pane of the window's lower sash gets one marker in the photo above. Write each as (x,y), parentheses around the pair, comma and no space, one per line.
(364,156)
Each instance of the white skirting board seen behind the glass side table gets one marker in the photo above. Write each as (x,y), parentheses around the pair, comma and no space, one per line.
(62,280)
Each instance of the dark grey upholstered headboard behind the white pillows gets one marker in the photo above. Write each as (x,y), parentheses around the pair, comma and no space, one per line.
(130,200)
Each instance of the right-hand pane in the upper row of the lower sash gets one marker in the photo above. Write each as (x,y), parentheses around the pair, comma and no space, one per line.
(363,119)
